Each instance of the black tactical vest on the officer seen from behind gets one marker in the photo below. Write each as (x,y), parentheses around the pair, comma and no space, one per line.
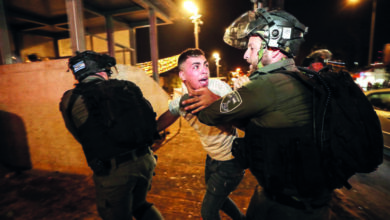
(119,118)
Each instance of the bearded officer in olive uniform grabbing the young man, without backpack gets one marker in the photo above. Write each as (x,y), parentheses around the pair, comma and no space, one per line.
(275,110)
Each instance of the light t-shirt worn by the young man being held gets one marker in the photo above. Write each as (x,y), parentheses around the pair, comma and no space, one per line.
(216,140)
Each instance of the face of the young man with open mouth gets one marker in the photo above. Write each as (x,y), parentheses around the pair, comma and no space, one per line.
(195,73)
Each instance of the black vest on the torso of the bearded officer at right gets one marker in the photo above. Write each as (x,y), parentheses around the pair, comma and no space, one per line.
(285,160)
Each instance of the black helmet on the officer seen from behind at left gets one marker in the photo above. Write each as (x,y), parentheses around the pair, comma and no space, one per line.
(89,62)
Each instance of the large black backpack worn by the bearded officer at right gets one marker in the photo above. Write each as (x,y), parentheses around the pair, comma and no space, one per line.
(347,129)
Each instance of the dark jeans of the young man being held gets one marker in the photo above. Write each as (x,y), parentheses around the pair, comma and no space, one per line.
(222,178)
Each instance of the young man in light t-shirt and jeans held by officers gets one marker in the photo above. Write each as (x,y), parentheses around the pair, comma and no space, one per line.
(222,173)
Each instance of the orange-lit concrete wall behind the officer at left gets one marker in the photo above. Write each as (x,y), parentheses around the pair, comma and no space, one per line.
(32,132)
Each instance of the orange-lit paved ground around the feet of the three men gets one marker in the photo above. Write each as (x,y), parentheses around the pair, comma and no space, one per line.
(177,190)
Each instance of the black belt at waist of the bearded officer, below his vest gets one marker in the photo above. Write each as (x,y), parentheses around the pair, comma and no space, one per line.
(295,202)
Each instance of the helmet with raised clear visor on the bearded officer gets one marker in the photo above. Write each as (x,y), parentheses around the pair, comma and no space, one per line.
(278,29)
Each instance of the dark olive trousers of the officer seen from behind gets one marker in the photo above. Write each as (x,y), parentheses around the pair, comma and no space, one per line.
(122,194)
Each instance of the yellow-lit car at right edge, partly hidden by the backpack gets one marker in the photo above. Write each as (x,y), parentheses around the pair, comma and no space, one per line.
(380,100)
